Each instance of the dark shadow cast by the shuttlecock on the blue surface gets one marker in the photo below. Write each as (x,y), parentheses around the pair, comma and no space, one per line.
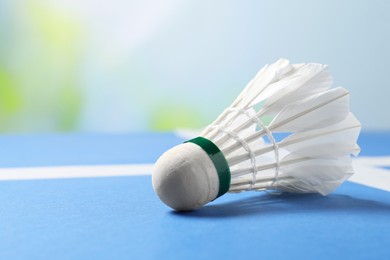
(287,203)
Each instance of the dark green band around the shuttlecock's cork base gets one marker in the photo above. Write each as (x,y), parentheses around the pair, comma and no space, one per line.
(218,160)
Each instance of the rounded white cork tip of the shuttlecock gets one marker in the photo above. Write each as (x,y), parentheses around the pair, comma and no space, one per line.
(185,178)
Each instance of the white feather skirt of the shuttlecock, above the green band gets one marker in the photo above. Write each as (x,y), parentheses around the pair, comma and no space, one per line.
(322,133)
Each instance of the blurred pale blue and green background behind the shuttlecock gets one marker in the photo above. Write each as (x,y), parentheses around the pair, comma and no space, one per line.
(118,66)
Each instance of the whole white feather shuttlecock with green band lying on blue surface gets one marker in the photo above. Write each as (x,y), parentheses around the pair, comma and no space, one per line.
(239,151)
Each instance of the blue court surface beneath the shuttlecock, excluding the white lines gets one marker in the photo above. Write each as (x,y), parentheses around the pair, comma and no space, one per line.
(121,217)
